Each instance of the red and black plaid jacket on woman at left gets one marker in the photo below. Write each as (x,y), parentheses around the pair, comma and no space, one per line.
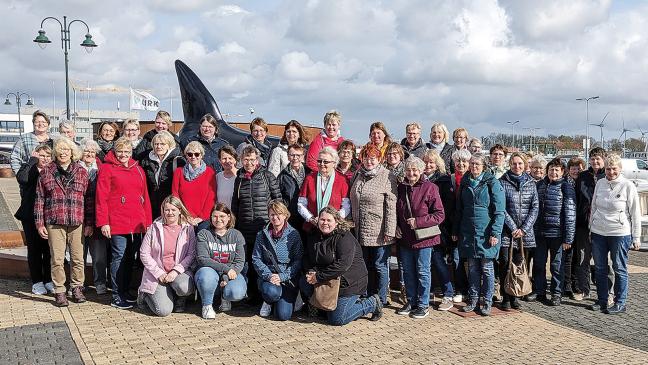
(57,203)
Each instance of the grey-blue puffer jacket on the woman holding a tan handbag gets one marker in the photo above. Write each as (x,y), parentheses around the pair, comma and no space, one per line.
(521,208)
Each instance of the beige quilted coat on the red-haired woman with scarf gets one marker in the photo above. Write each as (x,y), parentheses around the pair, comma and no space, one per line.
(373,206)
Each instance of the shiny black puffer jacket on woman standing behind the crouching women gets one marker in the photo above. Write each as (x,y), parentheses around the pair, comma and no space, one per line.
(250,201)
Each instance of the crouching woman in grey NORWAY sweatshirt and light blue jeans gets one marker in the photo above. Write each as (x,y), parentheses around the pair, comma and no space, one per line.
(220,260)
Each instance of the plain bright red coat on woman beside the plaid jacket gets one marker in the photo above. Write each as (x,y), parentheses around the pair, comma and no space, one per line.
(122,197)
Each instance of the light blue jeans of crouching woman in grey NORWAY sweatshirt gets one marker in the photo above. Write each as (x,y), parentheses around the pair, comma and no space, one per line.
(208,284)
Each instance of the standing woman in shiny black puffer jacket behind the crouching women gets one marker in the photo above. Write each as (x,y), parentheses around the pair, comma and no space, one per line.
(254,188)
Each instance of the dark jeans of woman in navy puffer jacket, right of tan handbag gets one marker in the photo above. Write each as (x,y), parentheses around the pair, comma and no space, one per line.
(553,246)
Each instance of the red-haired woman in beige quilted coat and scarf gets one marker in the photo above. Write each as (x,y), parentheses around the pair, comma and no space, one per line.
(373,206)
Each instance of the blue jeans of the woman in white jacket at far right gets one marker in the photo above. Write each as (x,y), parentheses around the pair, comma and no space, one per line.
(618,247)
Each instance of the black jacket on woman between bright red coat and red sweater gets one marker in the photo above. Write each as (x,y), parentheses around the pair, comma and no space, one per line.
(159,189)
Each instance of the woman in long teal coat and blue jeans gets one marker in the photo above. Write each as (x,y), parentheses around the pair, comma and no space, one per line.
(479,220)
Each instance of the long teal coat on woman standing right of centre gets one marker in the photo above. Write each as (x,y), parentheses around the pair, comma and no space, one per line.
(479,215)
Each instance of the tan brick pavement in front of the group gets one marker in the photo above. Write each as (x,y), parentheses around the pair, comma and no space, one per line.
(104,335)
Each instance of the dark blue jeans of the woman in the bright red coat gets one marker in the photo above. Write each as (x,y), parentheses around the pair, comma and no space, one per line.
(124,248)
